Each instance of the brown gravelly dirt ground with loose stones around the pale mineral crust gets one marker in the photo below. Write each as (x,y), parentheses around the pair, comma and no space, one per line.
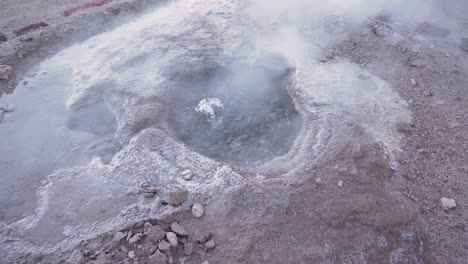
(347,206)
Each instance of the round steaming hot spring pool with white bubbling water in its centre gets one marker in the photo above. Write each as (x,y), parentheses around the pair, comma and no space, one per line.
(242,115)
